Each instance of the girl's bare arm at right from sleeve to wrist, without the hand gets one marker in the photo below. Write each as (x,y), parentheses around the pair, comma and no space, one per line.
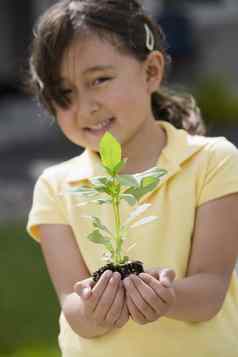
(200,295)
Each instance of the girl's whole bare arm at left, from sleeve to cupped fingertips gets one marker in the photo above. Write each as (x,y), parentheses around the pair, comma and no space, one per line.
(70,276)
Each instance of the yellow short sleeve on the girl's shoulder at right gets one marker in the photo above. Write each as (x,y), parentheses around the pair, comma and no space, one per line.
(221,176)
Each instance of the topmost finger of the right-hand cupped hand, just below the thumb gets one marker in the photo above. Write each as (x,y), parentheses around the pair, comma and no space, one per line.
(167,295)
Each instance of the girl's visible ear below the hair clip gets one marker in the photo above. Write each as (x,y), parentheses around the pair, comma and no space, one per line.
(154,69)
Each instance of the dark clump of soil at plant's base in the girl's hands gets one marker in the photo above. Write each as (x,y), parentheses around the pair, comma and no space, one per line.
(135,267)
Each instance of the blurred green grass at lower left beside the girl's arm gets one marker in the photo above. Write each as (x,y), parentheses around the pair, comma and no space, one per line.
(29,308)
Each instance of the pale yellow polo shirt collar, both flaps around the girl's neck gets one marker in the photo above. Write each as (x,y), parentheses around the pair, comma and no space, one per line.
(180,147)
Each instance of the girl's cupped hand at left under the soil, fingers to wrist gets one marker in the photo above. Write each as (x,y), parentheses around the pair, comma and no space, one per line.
(104,303)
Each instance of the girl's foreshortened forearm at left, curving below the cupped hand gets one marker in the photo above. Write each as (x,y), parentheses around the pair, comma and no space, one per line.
(72,309)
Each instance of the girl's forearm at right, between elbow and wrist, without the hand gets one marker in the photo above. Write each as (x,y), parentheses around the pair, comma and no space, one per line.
(198,297)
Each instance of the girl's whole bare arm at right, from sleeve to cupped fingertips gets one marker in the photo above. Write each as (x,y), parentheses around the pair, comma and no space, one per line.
(200,295)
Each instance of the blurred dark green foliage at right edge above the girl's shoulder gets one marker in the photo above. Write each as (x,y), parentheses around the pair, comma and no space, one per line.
(217,101)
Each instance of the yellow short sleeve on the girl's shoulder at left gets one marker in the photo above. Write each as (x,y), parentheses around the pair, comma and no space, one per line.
(46,207)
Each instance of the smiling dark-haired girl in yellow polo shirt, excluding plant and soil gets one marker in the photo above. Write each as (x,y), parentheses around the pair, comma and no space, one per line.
(98,65)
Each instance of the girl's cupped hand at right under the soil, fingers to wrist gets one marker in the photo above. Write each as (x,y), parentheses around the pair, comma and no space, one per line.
(150,295)
